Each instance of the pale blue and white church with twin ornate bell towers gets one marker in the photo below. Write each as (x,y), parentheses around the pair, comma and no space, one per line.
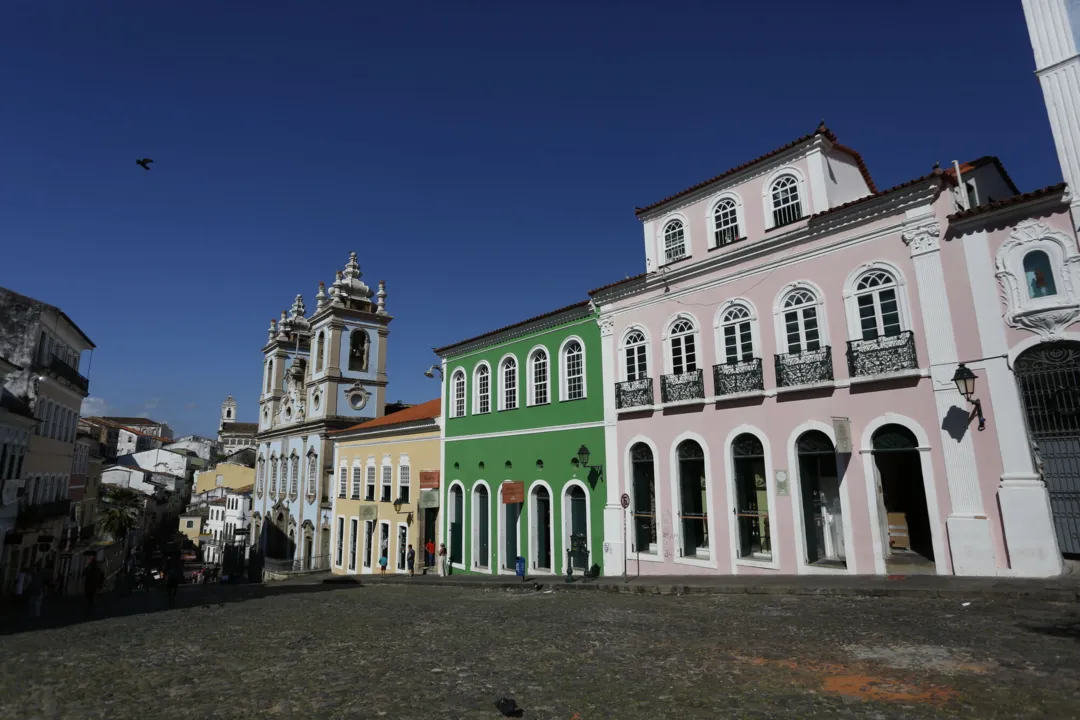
(321,374)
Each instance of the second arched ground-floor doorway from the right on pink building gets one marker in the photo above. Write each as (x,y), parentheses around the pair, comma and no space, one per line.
(820,487)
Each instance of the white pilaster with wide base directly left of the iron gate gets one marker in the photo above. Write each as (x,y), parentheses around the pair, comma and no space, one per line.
(1027,519)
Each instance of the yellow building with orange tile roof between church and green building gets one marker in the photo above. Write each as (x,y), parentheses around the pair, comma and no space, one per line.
(381,504)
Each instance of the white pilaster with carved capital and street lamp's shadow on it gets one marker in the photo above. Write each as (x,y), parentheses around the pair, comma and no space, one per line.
(969,529)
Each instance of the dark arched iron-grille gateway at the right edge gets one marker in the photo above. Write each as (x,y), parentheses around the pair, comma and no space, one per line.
(1049,378)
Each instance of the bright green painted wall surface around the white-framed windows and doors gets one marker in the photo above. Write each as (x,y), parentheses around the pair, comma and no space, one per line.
(532,444)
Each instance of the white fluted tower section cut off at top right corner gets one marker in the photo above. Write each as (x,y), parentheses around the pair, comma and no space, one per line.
(1055,26)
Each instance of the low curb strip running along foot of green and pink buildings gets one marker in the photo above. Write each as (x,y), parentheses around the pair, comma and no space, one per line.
(1037,594)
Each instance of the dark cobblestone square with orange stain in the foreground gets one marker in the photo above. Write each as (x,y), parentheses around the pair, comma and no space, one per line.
(395,651)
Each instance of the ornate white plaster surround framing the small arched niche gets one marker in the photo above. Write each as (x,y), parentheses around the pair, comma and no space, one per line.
(1051,315)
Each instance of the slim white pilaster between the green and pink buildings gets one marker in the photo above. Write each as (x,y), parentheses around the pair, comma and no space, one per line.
(615,547)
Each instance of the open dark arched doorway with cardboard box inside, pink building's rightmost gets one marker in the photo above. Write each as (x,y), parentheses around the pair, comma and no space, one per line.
(909,537)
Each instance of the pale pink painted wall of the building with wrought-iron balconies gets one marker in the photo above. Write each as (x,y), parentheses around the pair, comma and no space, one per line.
(777,418)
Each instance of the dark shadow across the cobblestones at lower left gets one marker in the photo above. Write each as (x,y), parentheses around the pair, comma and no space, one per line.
(61,613)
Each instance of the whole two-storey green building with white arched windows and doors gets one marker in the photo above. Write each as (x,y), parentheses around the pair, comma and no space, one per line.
(522,406)
